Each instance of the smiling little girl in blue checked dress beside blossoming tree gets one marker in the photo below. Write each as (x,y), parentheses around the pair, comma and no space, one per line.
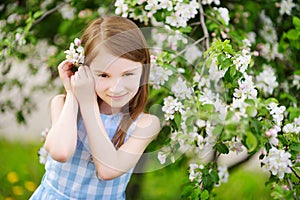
(99,130)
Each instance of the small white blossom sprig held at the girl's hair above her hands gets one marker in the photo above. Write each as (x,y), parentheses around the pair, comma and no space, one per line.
(75,54)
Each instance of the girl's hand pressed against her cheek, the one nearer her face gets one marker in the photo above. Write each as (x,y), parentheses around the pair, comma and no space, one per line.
(83,85)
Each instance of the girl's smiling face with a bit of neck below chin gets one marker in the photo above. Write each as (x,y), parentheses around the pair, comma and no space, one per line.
(117,80)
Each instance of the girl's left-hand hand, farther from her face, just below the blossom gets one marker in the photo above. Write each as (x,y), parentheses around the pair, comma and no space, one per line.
(65,73)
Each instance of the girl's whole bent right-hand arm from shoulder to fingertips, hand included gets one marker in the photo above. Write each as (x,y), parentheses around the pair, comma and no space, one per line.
(110,163)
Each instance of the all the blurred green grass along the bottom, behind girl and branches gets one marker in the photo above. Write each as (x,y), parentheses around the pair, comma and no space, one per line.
(21,172)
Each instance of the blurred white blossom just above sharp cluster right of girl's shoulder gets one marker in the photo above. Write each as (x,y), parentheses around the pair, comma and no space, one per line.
(181,90)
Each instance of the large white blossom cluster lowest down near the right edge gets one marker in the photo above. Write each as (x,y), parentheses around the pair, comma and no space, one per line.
(278,162)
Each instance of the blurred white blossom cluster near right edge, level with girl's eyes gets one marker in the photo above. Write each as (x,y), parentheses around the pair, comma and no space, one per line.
(266,80)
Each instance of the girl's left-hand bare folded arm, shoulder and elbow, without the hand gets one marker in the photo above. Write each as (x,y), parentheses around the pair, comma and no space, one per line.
(62,136)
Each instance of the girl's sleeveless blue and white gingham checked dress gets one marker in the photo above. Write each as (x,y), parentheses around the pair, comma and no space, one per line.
(76,179)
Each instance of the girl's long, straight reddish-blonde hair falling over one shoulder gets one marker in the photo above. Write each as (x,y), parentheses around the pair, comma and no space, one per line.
(122,38)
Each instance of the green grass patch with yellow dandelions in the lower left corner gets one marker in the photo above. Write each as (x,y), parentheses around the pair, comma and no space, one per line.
(20,171)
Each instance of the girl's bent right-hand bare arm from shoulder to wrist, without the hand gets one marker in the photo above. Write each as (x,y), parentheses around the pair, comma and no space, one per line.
(111,163)
